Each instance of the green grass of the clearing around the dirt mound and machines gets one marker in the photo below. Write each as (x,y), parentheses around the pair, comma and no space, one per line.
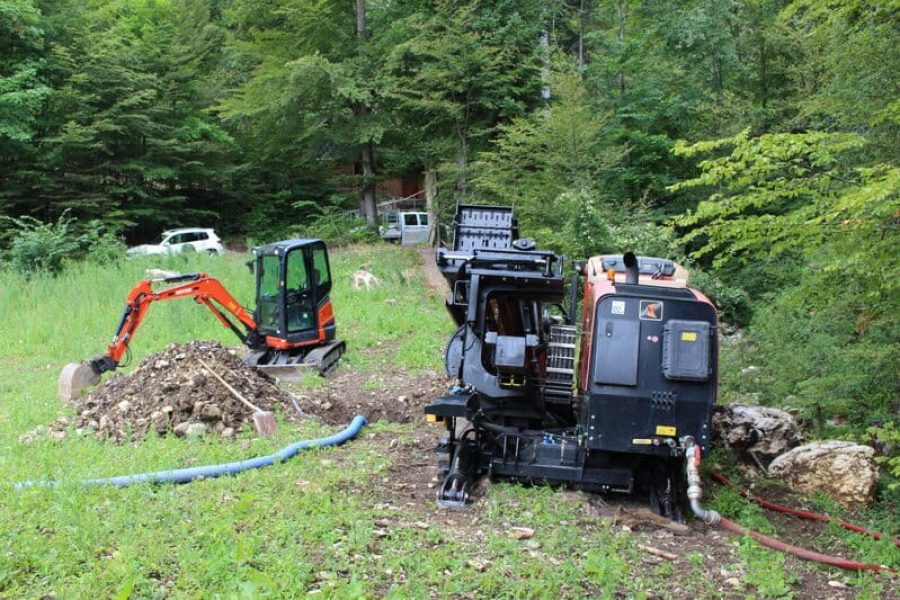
(307,525)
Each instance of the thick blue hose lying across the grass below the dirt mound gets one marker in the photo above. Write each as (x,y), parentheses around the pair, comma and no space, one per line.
(211,471)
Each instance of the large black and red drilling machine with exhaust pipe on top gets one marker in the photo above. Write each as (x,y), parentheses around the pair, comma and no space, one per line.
(600,404)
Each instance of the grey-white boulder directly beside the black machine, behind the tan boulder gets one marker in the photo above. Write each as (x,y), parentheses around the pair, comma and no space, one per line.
(767,432)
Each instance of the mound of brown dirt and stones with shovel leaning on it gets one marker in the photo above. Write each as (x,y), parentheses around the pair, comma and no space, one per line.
(172,392)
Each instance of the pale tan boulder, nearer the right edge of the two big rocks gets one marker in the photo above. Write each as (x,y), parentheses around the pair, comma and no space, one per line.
(846,471)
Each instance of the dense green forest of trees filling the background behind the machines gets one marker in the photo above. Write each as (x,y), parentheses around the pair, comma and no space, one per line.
(756,141)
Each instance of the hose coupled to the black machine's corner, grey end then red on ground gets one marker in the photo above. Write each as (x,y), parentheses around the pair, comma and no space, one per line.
(692,465)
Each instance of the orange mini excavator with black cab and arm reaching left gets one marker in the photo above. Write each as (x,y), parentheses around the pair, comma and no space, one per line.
(293,326)
